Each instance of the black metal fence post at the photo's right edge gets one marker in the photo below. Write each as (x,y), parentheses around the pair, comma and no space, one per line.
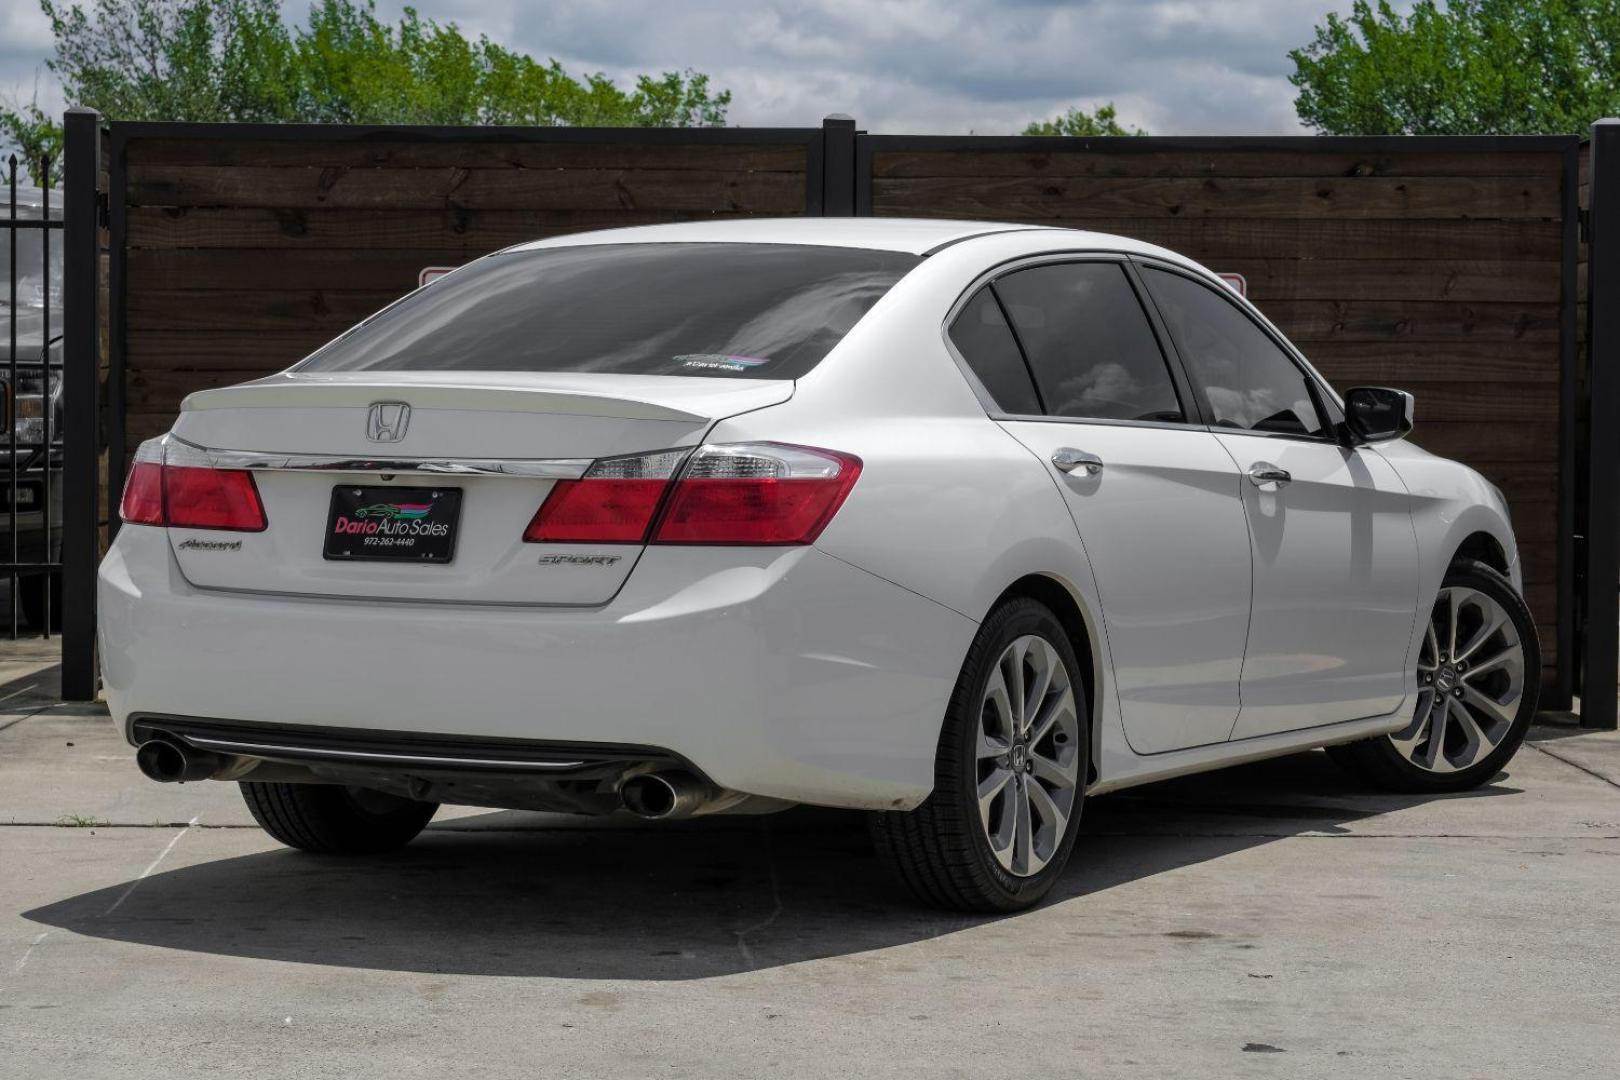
(1601,629)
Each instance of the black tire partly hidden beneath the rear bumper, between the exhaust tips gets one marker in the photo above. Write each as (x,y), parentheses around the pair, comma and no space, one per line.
(333,820)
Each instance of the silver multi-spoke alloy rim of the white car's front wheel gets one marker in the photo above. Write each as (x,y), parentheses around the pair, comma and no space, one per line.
(1470,682)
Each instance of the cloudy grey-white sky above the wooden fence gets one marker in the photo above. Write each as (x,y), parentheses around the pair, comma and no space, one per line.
(1174,67)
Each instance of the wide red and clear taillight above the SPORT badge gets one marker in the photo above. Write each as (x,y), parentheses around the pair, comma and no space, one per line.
(748,495)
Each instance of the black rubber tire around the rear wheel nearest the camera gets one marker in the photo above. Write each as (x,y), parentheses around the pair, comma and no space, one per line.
(944,851)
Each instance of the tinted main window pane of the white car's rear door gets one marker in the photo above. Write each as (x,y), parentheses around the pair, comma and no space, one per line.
(1089,342)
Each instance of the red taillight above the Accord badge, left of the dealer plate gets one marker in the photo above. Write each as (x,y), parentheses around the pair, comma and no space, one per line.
(190,496)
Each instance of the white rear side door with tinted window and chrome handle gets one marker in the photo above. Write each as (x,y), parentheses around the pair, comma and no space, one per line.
(1068,364)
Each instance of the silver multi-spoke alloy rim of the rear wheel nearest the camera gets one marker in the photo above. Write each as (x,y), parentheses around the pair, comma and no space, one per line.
(1028,757)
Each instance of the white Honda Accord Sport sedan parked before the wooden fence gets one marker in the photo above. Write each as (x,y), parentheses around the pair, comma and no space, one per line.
(950,522)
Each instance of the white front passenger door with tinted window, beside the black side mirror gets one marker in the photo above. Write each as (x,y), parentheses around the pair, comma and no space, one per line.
(1336,561)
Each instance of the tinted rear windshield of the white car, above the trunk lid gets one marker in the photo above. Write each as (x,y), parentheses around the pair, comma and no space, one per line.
(743,312)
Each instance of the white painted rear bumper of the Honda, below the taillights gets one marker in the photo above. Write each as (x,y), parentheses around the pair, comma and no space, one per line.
(780,673)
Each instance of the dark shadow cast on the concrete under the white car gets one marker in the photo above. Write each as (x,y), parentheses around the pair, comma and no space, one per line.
(497,896)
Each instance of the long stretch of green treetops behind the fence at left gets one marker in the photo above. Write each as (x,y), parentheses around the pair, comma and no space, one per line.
(239,61)
